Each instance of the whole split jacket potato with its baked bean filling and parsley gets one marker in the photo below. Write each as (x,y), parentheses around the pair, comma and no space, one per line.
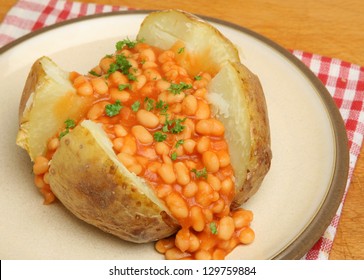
(145,198)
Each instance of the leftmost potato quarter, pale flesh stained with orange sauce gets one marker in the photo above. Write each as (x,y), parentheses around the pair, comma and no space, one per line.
(48,99)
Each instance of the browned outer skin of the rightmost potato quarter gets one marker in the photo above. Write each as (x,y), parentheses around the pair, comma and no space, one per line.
(260,153)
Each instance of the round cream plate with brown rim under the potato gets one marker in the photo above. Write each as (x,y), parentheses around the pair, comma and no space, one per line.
(299,195)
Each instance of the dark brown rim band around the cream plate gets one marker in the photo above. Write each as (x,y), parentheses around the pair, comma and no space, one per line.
(304,241)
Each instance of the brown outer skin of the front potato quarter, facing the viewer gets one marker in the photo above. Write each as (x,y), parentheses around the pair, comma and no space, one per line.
(90,185)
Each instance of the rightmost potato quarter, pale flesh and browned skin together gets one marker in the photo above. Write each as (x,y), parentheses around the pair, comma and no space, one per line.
(247,126)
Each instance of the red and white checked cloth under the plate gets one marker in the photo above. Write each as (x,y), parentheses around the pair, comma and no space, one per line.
(344,81)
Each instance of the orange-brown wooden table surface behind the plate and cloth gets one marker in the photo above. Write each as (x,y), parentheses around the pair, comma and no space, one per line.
(332,28)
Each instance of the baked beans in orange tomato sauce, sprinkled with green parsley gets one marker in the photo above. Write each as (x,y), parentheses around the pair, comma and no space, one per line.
(160,123)
